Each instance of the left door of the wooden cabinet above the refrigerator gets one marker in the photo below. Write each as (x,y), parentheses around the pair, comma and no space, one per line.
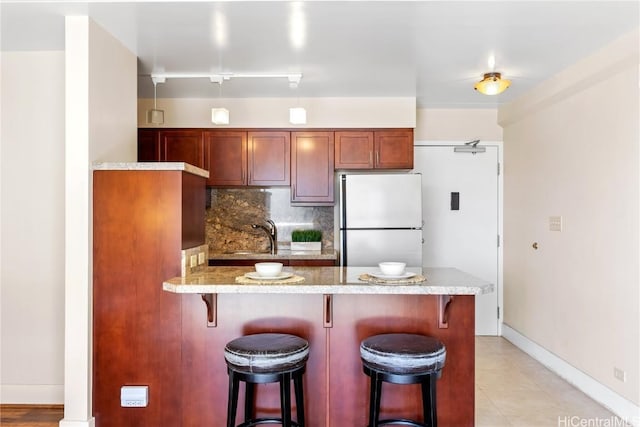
(354,150)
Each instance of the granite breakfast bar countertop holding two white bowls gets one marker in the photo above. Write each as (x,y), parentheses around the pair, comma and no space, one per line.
(329,280)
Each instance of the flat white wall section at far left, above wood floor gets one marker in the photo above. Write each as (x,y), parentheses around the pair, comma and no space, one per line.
(32,255)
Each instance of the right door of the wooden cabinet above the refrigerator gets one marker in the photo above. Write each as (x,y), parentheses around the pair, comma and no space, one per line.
(394,149)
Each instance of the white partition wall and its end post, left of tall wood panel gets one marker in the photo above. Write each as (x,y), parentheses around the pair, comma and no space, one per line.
(100,126)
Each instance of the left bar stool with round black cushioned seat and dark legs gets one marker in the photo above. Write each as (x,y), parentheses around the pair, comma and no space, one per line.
(266,358)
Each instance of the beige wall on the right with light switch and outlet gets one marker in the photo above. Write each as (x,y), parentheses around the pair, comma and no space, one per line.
(572,150)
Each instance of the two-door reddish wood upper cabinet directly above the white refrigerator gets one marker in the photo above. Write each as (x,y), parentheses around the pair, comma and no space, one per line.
(379,149)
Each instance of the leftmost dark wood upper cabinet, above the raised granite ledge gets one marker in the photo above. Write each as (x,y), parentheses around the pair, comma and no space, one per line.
(173,145)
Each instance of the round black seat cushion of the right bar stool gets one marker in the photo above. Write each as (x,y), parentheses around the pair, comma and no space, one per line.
(403,353)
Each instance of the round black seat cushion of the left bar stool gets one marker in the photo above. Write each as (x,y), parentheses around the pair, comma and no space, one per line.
(266,352)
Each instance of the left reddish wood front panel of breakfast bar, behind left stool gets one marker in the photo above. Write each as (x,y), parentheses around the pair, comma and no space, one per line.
(204,368)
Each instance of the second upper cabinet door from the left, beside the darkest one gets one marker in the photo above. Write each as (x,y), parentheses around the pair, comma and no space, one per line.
(183,146)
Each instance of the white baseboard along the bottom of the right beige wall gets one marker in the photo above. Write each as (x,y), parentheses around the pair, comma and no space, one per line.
(602,394)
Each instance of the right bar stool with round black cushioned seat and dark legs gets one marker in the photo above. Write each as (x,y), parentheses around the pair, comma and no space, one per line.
(403,359)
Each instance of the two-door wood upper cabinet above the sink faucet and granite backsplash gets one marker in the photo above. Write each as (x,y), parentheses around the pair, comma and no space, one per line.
(238,158)
